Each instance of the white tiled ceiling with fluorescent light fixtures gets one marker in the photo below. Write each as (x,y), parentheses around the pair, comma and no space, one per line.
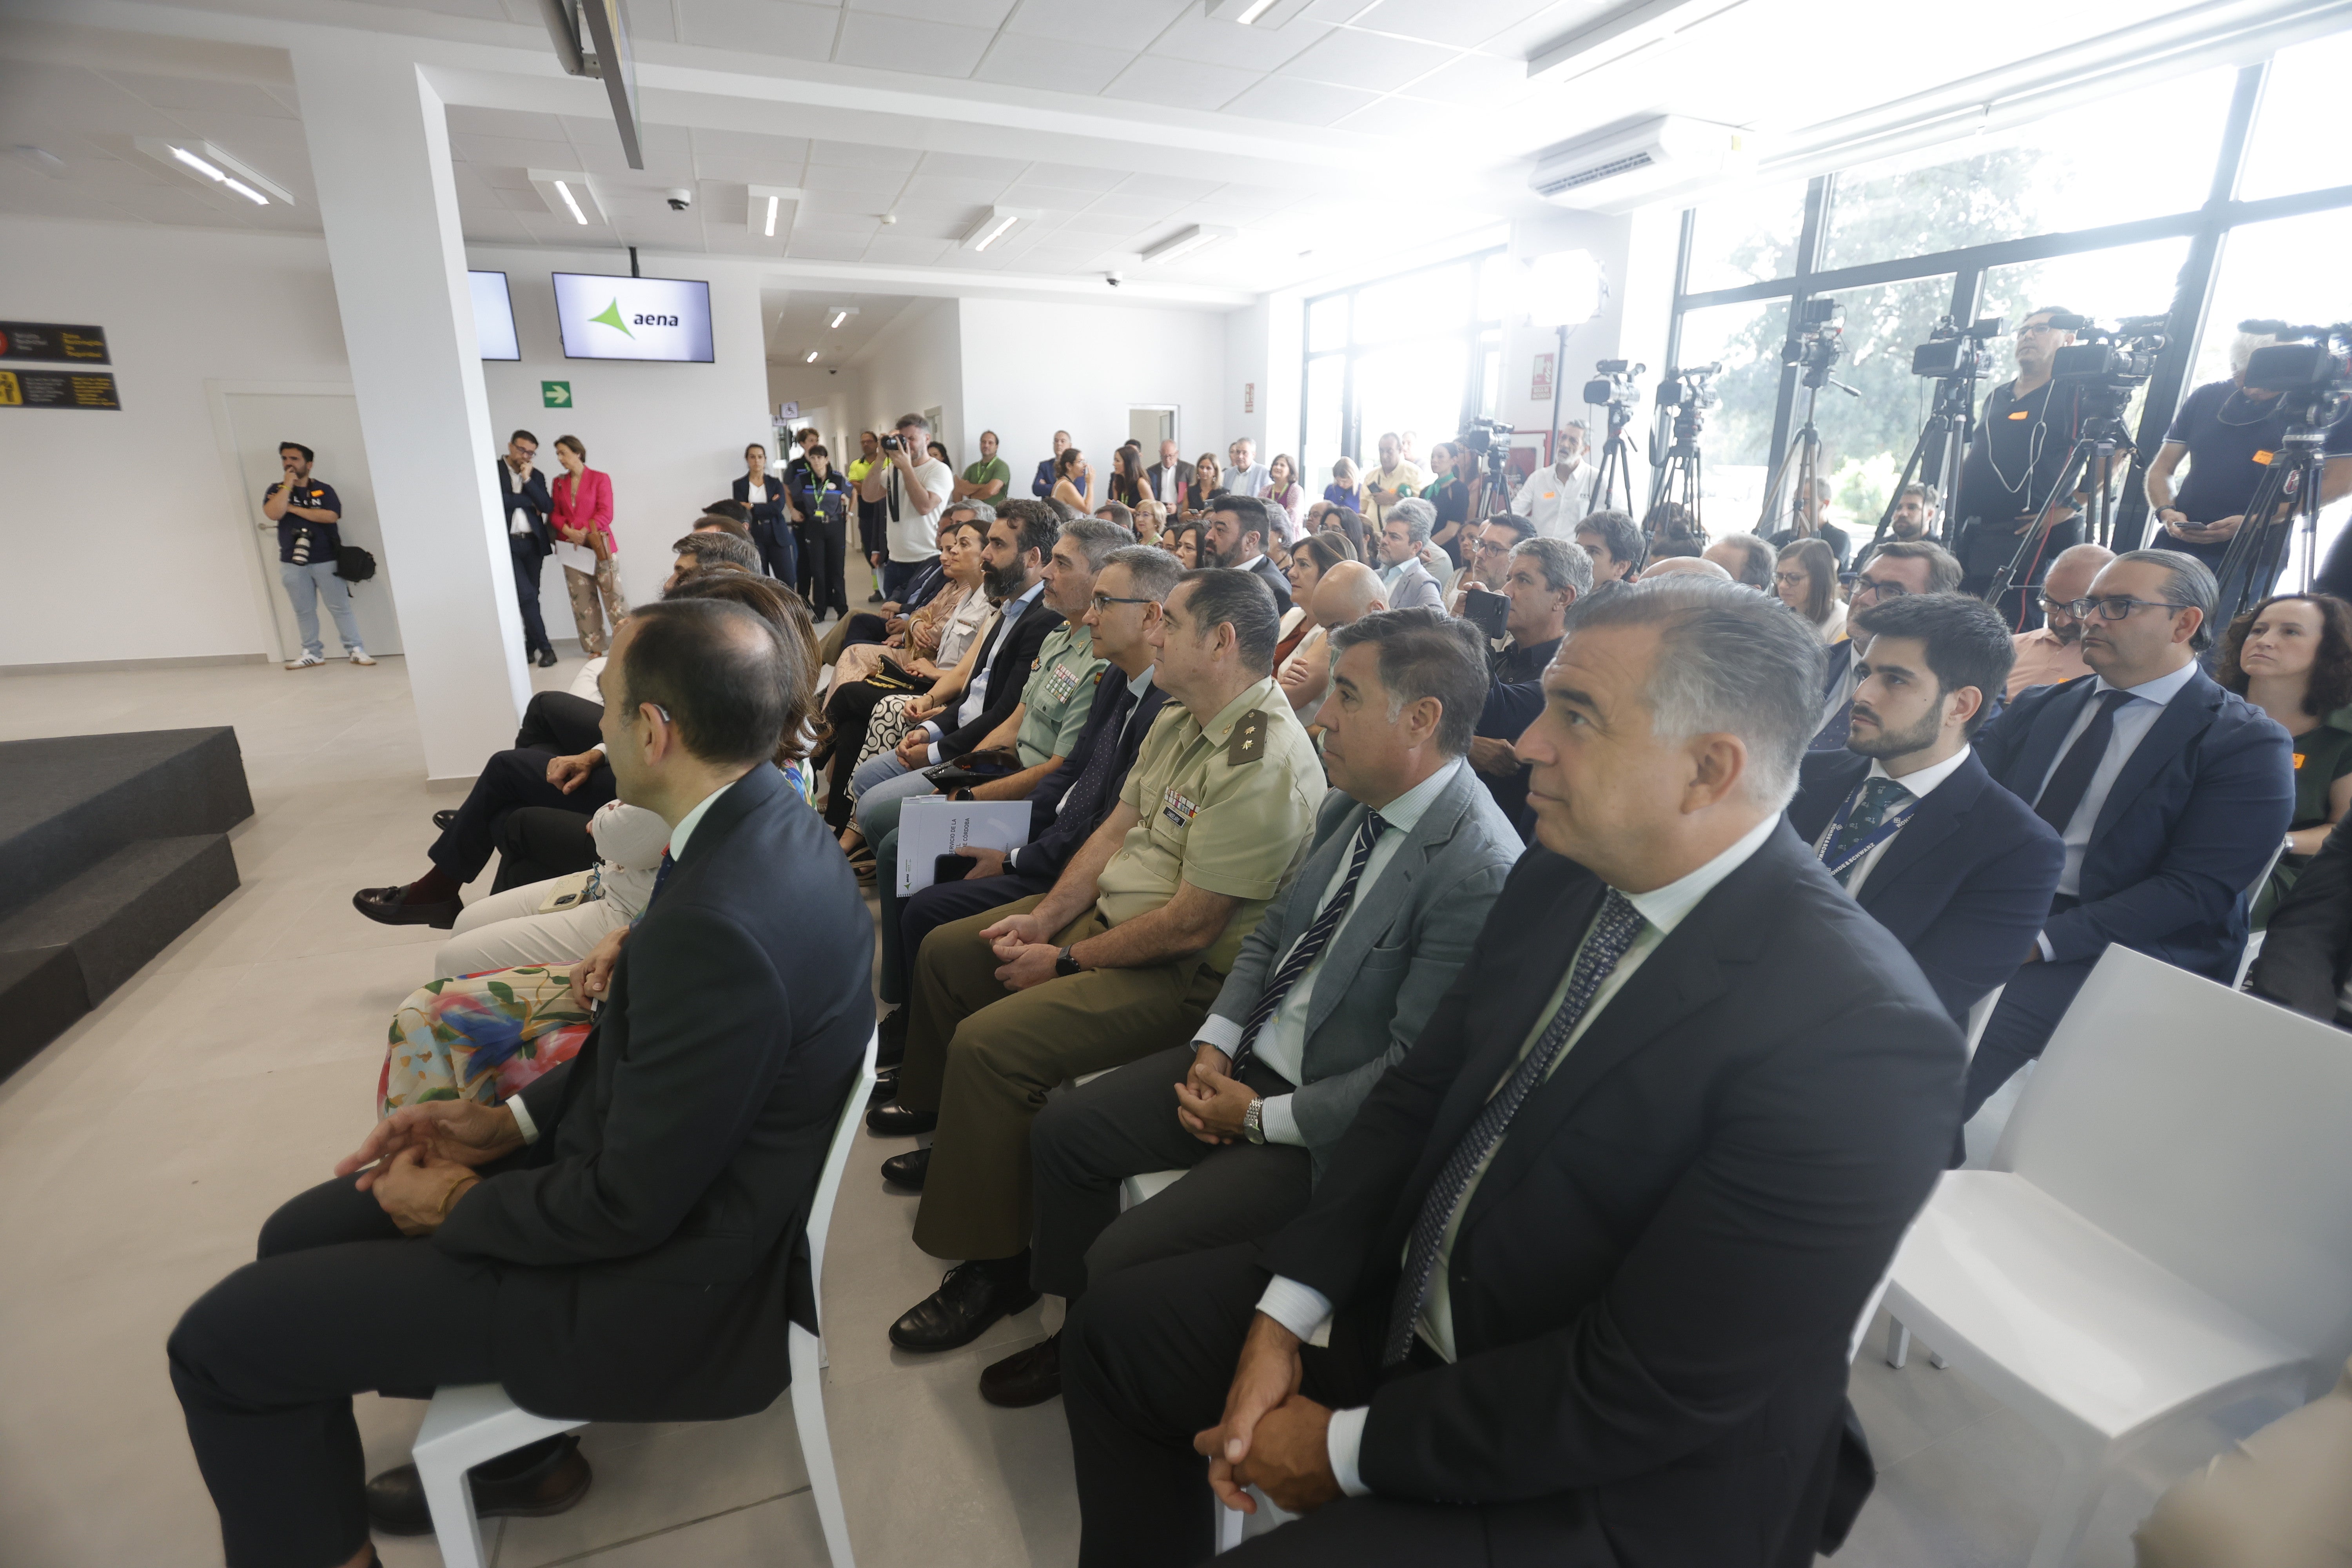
(1356,128)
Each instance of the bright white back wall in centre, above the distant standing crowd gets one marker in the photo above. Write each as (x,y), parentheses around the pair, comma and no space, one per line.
(1041,368)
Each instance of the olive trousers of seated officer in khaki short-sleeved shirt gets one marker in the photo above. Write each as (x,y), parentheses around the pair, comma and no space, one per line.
(987,1059)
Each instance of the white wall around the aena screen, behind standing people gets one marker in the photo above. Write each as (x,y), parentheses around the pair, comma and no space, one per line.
(671,436)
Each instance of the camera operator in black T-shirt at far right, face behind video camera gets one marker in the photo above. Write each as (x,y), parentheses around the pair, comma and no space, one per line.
(2229,434)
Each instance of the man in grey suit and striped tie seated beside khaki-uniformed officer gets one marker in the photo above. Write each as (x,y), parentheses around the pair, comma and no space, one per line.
(1325,996)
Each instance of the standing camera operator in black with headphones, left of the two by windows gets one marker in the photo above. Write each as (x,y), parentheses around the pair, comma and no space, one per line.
(2017,457)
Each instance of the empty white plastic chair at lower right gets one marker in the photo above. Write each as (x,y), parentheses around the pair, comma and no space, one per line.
(2165,1231)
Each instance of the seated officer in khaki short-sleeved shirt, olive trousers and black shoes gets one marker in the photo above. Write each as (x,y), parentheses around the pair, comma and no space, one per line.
(1118,963)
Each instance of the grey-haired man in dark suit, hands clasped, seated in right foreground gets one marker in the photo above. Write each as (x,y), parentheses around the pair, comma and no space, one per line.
(1643,1170)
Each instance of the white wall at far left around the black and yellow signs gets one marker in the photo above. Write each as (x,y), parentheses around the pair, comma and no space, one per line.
(119,537)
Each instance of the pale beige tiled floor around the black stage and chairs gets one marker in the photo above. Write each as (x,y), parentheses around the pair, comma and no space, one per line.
(142,1151)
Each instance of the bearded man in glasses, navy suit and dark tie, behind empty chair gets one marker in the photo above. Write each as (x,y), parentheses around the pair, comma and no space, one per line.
(2172,798)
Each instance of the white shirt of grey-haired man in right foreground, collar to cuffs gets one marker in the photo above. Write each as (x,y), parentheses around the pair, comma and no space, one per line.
(1307,1311)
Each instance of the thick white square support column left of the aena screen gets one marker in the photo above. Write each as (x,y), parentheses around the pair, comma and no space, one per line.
(380,152)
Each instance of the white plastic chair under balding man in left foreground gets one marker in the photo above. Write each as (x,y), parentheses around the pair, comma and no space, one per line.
(474,1423)
